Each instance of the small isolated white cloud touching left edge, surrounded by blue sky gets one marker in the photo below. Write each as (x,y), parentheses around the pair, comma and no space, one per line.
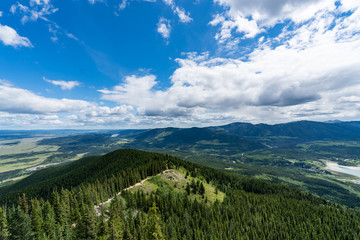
(9,37)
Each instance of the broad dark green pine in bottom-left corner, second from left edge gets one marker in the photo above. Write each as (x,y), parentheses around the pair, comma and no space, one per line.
(19,225)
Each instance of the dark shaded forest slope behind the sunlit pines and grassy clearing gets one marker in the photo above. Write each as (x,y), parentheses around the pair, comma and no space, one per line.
(83,171)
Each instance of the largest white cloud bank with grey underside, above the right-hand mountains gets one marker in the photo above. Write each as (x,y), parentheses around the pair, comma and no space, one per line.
(314,73)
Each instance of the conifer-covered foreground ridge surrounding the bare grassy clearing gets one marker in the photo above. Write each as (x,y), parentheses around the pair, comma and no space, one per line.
(58,203)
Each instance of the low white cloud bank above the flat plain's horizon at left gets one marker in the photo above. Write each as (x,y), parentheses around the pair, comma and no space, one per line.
(20,107)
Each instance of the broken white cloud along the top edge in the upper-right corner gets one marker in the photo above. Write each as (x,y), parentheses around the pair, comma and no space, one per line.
(249,18)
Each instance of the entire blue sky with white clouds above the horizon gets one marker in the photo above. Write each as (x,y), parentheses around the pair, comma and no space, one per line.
(111,64)
